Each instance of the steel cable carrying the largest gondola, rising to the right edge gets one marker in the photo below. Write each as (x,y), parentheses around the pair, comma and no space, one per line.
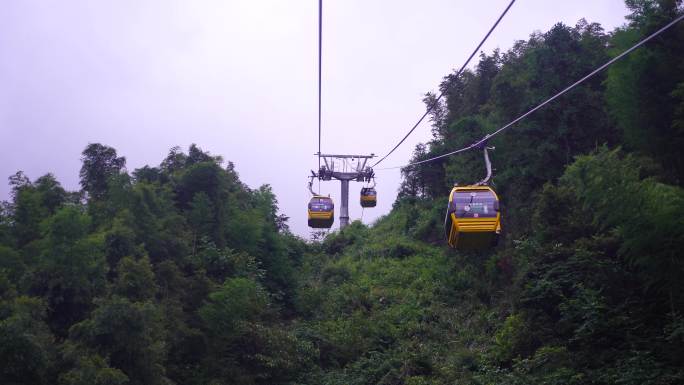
(483,141)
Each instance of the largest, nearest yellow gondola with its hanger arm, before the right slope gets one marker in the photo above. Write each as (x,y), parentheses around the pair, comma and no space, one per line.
(473,219)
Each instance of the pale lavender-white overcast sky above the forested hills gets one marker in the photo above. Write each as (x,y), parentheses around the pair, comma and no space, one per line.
(239,78)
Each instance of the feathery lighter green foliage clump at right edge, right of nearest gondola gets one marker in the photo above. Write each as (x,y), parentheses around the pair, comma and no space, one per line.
(645,213)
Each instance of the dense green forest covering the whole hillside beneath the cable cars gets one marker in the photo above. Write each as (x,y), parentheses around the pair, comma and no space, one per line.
(182,274)
